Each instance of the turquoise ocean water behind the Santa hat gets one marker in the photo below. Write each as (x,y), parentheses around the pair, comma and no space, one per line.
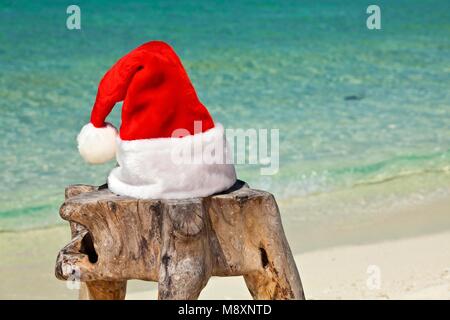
(364,115)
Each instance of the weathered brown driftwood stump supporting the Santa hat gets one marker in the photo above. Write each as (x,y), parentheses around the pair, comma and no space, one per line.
(178,243)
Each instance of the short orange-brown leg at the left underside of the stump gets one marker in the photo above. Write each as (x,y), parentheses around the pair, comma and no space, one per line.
(103,290)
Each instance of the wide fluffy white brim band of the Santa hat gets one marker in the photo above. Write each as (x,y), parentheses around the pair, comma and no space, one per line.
(148,170)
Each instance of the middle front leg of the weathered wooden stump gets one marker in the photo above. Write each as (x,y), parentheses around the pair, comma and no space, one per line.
(185,265)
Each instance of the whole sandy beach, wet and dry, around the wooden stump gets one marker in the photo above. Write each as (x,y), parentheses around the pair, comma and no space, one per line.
(402,256)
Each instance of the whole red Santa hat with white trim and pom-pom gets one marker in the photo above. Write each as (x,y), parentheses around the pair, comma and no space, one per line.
(161,117)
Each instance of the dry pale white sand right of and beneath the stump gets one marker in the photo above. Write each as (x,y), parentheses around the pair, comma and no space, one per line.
(414,268)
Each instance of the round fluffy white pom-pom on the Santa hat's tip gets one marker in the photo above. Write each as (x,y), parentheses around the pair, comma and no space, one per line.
(97,145)
